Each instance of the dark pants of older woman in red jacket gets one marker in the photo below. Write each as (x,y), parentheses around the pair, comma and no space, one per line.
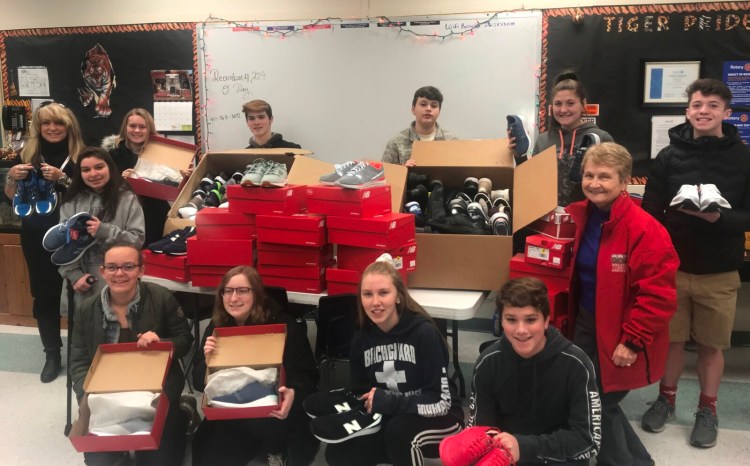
(620,444)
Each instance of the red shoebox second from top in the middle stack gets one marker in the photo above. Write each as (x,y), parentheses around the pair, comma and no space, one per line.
(299,229)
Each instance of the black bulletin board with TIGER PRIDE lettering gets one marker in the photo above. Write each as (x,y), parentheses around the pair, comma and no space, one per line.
(608,47)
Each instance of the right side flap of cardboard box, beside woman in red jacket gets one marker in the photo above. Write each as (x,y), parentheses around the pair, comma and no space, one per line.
(533,198)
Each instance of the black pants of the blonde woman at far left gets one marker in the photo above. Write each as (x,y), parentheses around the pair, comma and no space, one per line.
(46,287)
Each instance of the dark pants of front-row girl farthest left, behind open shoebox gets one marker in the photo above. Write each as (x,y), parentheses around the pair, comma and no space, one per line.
(171,449)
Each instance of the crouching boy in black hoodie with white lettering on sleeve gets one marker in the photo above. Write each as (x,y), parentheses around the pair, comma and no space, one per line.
(535,386)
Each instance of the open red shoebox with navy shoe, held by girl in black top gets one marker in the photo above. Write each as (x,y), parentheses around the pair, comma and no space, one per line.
(254,346)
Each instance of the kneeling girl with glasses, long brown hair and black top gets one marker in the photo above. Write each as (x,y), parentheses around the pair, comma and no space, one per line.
(241,300)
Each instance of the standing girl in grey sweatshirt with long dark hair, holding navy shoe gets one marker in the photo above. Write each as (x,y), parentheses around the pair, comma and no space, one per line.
(117,217)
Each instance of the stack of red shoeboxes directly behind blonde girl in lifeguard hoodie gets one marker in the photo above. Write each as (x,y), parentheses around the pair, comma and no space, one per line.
(362,226)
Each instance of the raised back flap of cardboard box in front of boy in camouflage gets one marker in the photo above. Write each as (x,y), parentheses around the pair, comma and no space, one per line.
(483,152)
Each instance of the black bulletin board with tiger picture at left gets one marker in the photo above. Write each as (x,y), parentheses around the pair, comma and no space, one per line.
(127,53)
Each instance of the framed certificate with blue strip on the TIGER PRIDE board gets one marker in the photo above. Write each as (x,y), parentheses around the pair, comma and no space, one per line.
(664,82)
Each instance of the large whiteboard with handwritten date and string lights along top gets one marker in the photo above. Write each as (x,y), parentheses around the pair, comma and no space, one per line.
(344,92)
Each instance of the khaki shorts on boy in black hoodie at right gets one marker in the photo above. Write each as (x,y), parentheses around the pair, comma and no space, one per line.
(706,305)
